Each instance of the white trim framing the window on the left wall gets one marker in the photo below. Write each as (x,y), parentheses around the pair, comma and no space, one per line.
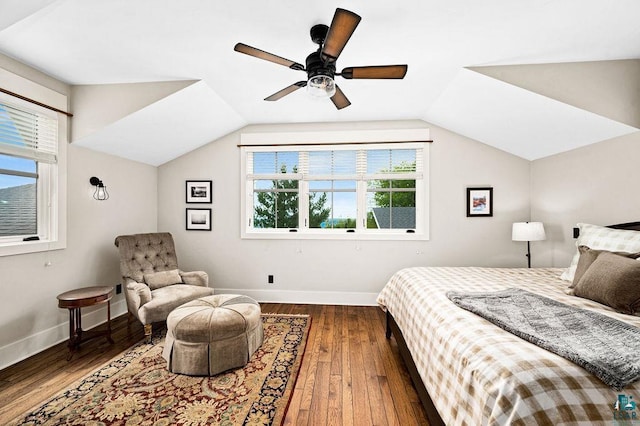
(51,183)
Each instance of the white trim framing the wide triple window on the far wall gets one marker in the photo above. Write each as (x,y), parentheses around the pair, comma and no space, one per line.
(322,141)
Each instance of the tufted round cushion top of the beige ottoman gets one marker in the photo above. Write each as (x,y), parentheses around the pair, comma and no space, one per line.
(213,318)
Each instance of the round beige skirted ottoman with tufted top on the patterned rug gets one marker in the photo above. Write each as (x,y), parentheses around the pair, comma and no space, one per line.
(212,334)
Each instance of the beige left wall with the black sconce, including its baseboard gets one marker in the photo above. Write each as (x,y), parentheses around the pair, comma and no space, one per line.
(30,319)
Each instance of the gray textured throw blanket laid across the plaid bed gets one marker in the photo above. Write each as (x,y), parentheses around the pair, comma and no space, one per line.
(604,346)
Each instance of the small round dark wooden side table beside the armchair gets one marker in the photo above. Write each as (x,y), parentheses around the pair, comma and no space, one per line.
(82,298)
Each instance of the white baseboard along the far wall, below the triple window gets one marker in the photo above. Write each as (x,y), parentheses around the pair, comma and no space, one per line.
(305,297)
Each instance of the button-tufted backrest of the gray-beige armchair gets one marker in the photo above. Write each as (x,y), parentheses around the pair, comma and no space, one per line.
(146,253)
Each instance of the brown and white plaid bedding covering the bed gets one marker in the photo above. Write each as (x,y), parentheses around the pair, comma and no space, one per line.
(479,374)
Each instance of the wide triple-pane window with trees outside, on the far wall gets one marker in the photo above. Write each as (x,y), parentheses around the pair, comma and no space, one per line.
(369,191)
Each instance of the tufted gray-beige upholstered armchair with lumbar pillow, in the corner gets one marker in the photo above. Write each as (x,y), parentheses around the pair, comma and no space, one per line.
(153,283)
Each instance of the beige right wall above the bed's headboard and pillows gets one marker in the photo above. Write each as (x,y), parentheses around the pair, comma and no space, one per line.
(594,184)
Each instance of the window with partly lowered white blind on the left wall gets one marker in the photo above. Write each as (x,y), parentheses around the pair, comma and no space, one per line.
(28,174)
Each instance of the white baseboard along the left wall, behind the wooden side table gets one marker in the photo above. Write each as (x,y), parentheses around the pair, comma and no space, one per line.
(38,342)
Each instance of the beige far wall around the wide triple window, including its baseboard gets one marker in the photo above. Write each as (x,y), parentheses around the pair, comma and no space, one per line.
(345,271)
